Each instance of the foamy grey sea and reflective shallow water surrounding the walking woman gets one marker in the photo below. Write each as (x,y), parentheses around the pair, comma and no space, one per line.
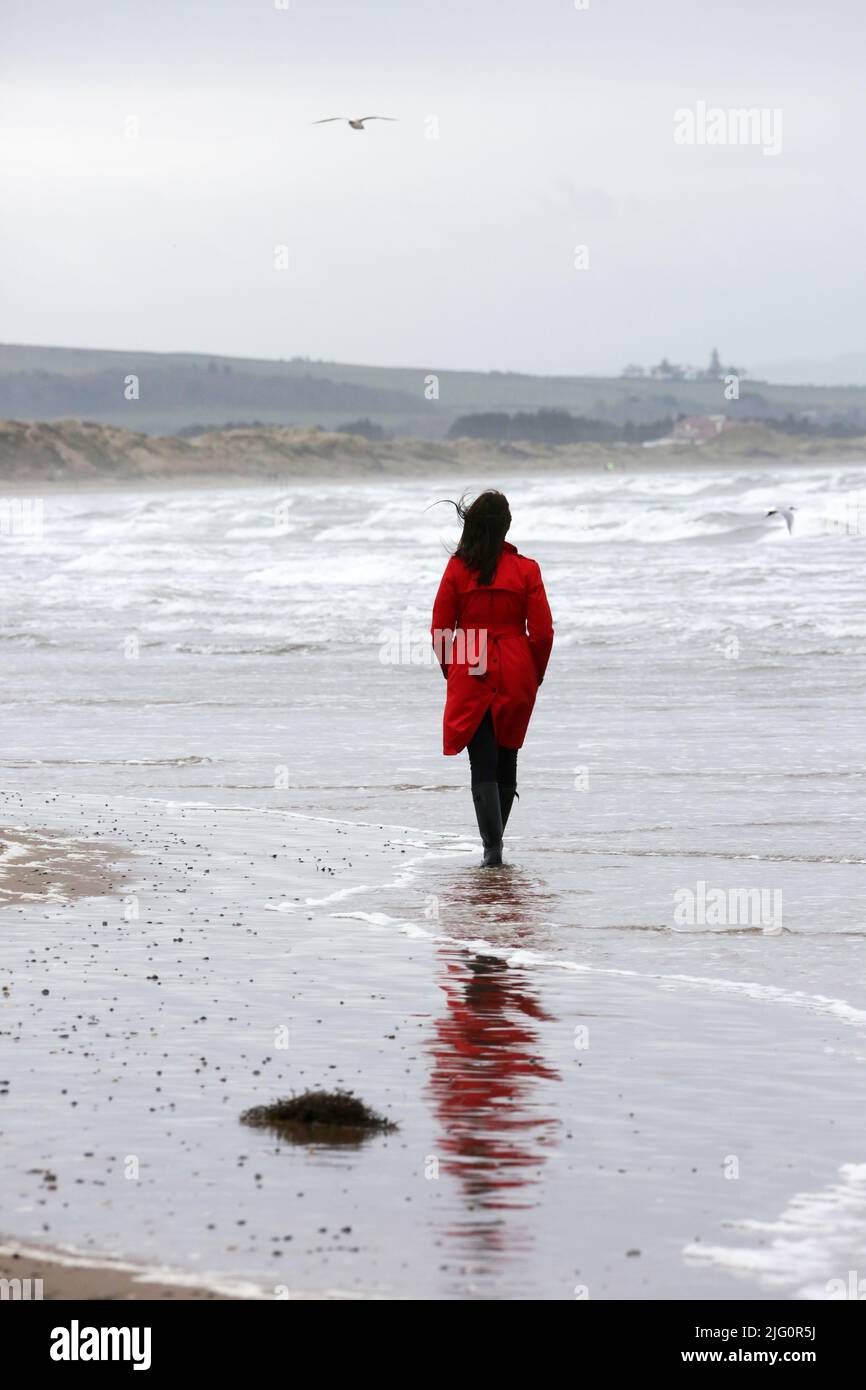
(629,1065)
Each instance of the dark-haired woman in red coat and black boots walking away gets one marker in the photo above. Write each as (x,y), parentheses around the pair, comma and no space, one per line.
(493,635)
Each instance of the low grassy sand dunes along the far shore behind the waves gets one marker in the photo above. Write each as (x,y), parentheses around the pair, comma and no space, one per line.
(73,452)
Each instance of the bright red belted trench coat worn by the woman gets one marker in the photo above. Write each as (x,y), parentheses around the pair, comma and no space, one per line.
(494,664)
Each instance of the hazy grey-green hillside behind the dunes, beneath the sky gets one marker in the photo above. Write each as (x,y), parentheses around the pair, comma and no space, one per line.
(179,391)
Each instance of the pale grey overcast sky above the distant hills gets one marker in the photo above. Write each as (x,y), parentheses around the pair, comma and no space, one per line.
(555,130)
